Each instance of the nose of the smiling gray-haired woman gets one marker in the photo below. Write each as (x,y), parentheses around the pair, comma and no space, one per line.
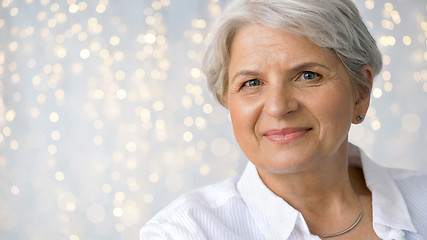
(281,101)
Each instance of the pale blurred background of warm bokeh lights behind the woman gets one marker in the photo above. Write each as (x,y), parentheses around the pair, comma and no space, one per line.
(105,116)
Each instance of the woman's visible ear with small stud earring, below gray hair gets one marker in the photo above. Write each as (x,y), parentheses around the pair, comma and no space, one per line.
(363,100)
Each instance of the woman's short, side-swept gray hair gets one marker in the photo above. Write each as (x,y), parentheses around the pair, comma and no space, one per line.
(334,25)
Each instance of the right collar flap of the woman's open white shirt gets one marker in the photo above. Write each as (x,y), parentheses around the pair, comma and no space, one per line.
(388,205)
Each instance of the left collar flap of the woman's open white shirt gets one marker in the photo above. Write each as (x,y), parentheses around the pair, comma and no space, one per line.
(266,207)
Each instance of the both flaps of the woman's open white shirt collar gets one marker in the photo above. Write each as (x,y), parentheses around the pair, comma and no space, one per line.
(267,208)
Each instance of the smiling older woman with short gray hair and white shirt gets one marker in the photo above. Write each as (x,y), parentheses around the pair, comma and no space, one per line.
(295,74)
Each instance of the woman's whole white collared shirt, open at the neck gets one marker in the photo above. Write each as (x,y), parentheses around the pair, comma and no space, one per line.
(242,207)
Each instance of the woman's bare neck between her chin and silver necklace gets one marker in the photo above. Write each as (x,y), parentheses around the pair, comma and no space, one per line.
(323,193)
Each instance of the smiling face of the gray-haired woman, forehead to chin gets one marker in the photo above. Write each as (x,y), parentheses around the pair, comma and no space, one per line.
(291,102)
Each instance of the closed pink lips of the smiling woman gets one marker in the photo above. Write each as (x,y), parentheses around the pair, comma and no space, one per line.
(286,135)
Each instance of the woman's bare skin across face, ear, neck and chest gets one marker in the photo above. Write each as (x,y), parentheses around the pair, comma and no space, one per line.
(292,104)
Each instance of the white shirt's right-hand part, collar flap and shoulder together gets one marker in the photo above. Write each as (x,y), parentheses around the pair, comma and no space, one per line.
(404,190)
